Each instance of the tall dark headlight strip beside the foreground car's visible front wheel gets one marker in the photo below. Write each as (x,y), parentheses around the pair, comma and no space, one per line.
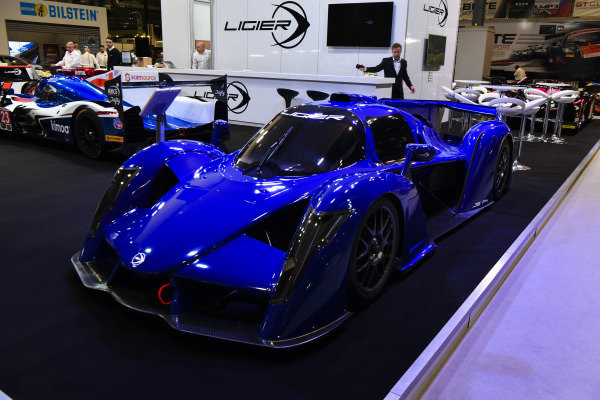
(316,230)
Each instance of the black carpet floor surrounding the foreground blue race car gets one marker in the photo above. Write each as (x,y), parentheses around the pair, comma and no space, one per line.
(60,340)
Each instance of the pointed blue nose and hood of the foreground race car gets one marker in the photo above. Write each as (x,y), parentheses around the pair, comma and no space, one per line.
(208,211)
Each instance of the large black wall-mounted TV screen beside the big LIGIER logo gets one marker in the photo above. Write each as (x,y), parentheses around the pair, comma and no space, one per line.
(360,24)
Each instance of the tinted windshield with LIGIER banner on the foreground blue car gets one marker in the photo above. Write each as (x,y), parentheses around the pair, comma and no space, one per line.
(304,140)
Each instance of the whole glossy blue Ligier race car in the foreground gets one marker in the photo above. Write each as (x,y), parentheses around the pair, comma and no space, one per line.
(276,244)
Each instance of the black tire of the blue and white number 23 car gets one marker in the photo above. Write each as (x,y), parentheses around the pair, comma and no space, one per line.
(87,133)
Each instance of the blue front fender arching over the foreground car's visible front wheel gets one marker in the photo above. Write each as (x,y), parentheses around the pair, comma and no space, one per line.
(320,297)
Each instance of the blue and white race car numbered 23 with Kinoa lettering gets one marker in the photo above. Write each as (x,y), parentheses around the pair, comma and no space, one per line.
(71,110)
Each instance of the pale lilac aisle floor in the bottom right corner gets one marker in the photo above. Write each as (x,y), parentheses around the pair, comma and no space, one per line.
(538,336)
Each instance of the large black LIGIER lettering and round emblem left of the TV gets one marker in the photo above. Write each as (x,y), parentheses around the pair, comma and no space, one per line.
(295,16)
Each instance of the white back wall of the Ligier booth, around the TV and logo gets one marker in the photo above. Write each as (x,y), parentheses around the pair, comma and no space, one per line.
(256,50)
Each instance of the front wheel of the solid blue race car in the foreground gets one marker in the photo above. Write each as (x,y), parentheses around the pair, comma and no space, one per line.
(373,253)
